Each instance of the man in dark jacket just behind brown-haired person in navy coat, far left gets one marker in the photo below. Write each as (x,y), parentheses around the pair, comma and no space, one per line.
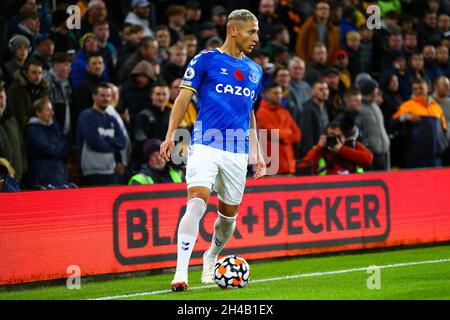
(28,86)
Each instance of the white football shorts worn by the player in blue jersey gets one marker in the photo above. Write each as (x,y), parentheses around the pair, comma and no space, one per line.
(222,171)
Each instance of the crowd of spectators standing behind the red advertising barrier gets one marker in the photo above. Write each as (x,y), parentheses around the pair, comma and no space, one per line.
(90,105)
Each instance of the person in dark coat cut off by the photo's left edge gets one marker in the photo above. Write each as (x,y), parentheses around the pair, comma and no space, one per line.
(12,146)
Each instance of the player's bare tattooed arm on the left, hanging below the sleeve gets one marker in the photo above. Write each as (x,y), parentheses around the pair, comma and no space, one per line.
(176,115)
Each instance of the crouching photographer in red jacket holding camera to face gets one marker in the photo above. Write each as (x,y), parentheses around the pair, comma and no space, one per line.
(338,151)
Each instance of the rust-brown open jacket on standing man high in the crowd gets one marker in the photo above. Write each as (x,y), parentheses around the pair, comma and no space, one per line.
(308,37)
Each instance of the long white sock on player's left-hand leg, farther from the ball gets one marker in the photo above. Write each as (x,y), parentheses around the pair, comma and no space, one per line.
(188,232)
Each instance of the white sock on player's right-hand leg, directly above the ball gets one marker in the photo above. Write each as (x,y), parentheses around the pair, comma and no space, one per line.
(223,229)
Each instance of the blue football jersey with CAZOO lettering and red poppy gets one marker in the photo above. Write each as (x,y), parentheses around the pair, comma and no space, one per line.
(226,87)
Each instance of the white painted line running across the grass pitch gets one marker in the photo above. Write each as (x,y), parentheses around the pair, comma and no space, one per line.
(304,275)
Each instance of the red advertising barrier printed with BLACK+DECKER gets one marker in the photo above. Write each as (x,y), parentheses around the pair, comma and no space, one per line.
(122,229)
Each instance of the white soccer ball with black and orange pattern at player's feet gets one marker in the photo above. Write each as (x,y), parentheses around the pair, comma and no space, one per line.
(231,272)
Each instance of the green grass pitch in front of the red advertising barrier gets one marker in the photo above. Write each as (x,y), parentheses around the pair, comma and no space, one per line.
(421,273)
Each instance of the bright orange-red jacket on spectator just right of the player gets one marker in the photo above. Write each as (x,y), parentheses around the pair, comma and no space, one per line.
(276,117)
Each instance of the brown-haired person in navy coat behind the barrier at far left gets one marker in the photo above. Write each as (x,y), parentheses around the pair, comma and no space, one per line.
(47,148)
